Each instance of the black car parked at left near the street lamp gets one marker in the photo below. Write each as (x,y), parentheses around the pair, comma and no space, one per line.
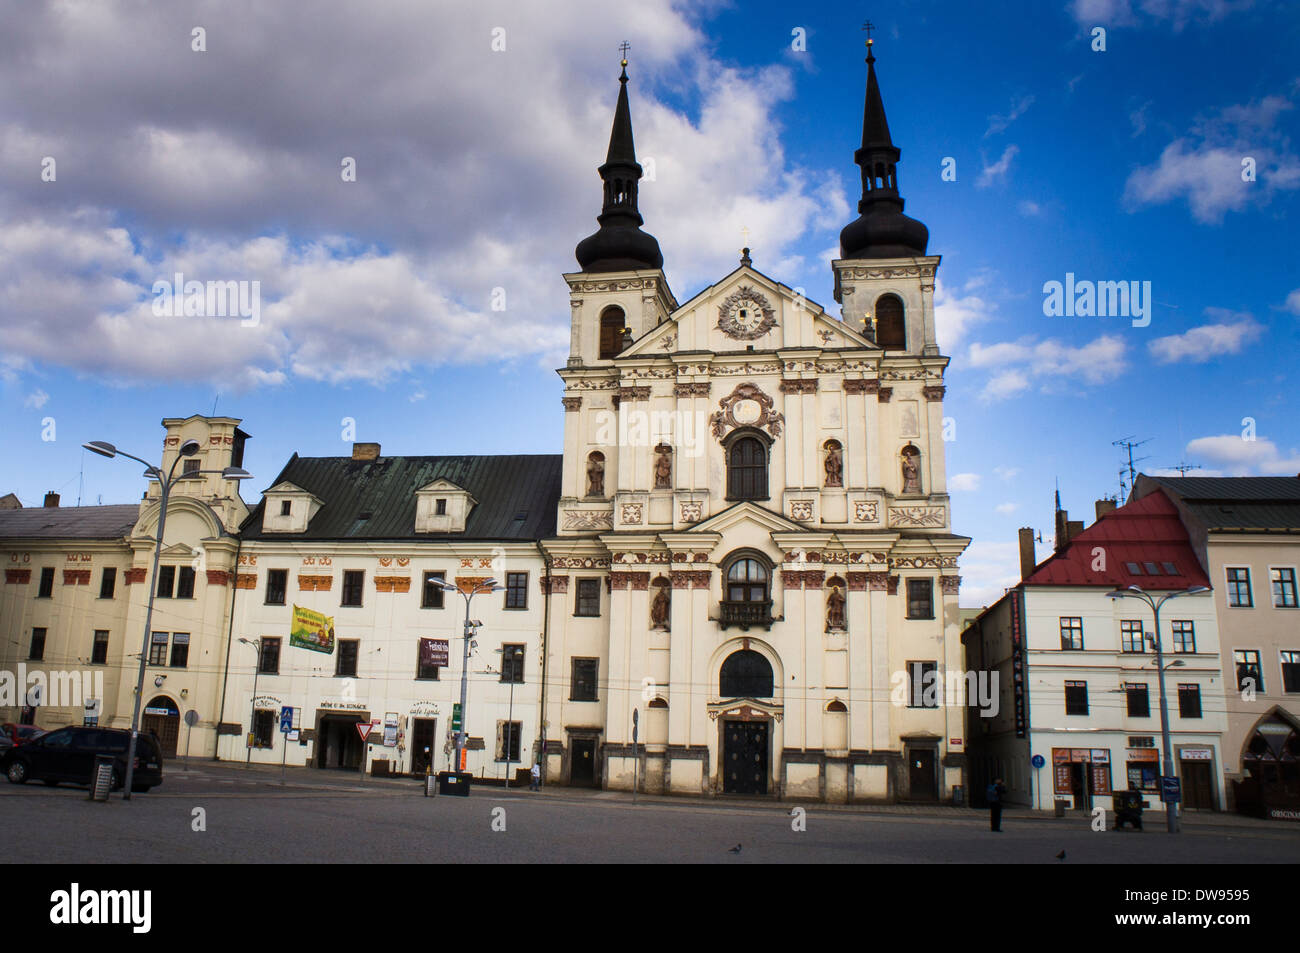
(68,755)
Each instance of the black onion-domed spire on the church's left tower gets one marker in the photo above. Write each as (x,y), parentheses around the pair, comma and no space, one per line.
(619,245)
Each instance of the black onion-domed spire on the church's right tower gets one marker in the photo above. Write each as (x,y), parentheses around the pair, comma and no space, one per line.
(882,231)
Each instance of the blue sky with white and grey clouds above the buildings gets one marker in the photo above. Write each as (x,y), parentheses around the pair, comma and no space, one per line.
(476,172)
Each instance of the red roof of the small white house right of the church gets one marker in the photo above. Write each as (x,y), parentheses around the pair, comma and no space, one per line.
(1143,531)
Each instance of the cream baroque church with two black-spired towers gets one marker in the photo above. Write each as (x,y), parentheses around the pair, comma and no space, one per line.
(760,488)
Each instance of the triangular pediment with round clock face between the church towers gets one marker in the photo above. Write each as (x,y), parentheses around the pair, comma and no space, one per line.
(747,311)
